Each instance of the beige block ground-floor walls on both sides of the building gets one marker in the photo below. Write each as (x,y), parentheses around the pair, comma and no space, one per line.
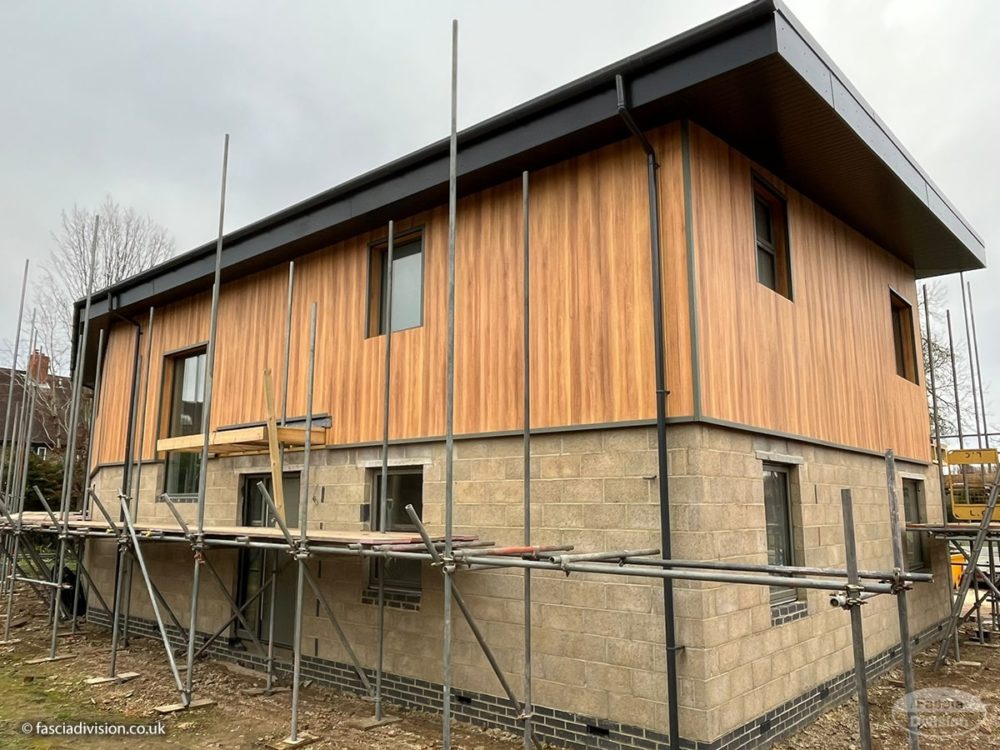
(598,642)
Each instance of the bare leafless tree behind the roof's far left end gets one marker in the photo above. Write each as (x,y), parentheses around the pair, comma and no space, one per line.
(127,243)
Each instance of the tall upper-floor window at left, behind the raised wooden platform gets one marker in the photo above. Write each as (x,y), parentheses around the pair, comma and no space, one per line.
(186,382)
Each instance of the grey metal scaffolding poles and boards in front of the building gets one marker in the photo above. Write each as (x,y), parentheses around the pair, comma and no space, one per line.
(116,520)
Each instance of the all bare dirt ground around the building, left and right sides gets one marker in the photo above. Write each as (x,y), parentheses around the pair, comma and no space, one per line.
(55,691)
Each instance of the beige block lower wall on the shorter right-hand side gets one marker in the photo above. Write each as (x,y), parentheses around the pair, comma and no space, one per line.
(750,665)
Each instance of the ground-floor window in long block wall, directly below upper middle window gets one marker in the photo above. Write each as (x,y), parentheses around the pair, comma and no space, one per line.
(405,486)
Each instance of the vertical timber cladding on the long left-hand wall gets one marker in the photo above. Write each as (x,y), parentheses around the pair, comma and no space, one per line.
(591,307)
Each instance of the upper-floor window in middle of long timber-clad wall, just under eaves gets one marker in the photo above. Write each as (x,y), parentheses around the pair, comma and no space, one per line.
(407,285)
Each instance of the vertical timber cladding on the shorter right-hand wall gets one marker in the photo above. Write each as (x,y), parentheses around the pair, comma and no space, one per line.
(822,364)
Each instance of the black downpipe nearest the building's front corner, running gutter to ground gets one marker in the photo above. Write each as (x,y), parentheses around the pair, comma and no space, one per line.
(661,405)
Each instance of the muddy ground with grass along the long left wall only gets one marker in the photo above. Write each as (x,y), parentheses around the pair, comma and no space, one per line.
(55,691)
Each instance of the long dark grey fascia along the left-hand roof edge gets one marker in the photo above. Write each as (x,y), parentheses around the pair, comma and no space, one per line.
(492,160)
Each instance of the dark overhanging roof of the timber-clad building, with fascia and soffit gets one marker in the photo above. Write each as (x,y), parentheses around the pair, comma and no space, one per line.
(753,76)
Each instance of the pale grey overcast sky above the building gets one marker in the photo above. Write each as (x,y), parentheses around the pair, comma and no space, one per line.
(132,99)
